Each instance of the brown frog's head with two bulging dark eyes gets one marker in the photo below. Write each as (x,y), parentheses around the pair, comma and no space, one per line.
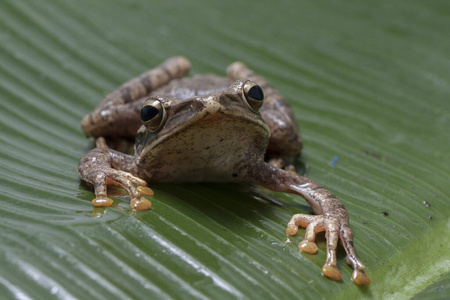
(229,119)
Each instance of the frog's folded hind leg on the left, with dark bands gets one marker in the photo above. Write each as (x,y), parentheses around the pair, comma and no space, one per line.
(122,106)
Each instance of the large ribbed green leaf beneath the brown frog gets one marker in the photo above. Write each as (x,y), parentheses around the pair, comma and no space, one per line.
(369,84)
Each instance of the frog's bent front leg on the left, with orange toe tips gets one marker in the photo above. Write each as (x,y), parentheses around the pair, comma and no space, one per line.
(103,166)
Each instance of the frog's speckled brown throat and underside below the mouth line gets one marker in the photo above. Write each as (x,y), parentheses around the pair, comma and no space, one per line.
(221,153)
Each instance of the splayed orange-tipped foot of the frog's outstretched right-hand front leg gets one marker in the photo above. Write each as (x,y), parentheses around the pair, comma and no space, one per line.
(334,229)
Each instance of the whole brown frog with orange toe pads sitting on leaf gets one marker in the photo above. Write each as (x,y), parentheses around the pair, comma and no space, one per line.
(209,128)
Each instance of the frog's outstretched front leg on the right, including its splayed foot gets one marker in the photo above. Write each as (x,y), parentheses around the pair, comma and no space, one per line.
(331,217)
